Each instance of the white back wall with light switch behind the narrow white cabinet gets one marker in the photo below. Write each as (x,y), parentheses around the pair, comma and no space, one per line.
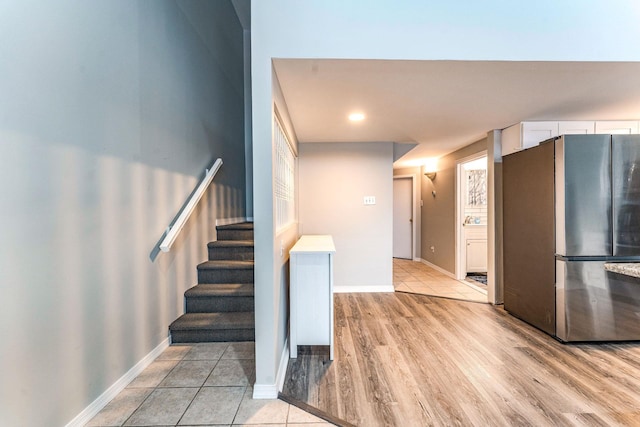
(334,178)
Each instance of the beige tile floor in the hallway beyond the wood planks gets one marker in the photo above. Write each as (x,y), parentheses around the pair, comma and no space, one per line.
(418,278)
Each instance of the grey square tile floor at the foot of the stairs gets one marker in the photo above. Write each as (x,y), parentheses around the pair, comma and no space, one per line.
(205,384)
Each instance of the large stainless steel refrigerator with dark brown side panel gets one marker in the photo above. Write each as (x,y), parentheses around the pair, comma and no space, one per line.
(570,205)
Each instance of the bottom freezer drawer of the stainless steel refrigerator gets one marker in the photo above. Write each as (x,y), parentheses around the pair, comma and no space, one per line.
(593,304)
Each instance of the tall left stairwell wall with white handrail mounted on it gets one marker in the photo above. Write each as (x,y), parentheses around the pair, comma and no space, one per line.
(110,111)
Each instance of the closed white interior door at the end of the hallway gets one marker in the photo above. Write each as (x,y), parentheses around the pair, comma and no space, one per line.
(402,218)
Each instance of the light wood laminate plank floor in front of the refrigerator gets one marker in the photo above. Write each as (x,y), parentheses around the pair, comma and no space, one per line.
(412,360)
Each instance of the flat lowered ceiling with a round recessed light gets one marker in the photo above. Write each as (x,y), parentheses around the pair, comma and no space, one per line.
(445,105)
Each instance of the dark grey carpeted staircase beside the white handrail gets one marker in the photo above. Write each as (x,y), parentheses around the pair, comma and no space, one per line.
(220,306)
